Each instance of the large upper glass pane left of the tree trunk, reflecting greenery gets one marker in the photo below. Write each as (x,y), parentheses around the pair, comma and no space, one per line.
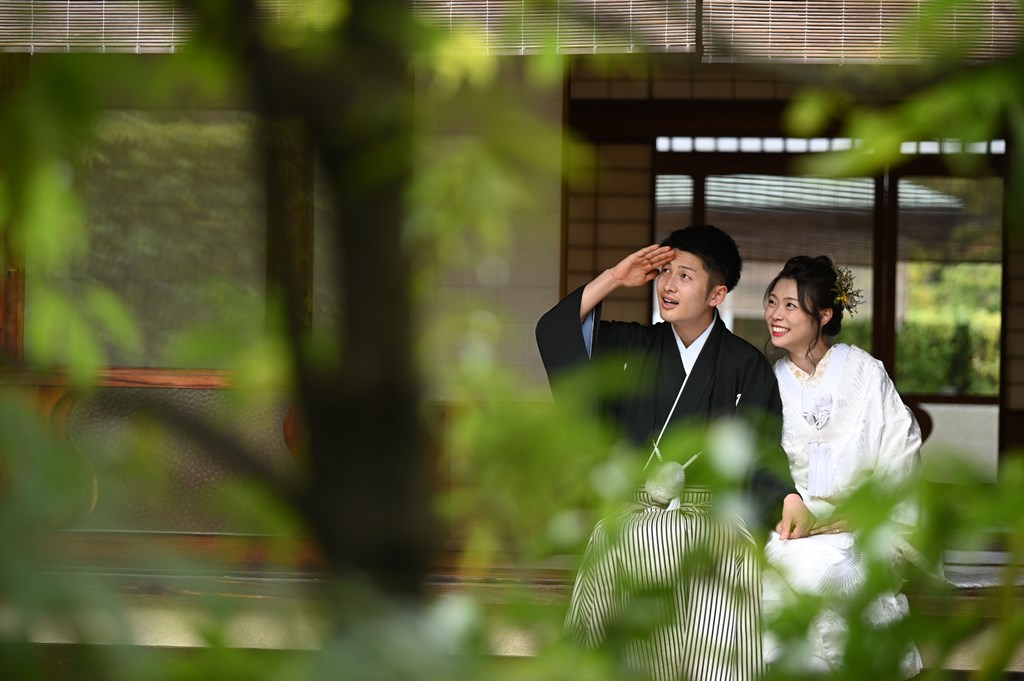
(176,215)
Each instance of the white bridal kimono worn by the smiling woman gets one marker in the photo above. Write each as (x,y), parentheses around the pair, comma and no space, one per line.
(842,427)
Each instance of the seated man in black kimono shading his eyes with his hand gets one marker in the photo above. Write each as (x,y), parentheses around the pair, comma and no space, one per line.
(688,369)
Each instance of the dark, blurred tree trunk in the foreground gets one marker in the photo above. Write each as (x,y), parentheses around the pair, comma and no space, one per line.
(368,495)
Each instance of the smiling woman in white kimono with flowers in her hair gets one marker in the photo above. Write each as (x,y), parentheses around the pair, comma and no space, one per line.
(844,427)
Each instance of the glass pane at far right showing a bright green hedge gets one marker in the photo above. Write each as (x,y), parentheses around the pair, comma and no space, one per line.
(950,286)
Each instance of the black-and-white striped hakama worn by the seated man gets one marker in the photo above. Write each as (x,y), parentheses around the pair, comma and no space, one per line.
(673,595)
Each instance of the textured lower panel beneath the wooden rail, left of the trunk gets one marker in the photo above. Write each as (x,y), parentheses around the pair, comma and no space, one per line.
(162,480)
